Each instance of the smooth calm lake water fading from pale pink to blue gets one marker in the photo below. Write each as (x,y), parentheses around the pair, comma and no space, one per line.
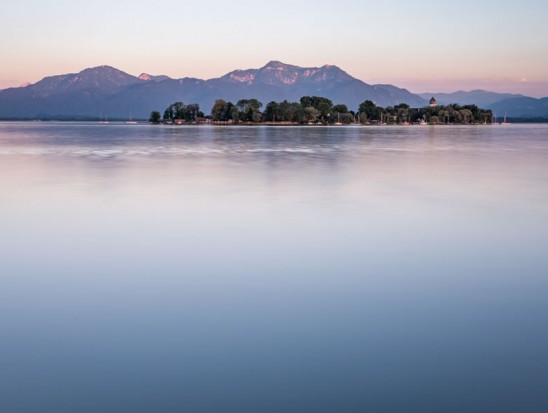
(264,269)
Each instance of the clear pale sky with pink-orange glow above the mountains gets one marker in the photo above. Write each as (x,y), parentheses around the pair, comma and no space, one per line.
(422,45)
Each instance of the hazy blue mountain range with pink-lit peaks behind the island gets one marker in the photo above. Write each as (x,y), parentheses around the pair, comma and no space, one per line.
(104,91)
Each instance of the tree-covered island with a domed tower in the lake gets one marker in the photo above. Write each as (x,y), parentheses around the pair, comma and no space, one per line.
(318,110)
